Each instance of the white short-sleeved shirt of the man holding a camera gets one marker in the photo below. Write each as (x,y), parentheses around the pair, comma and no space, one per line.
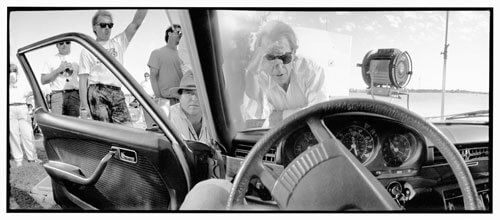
(63,81)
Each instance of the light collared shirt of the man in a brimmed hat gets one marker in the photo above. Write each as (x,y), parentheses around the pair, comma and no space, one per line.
(184,127)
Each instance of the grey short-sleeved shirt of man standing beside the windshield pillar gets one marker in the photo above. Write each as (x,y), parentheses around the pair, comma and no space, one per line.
(170,69)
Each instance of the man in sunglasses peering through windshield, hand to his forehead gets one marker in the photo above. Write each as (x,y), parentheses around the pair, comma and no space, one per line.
(278,81)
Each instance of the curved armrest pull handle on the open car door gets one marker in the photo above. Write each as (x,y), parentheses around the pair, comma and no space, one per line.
(71,173)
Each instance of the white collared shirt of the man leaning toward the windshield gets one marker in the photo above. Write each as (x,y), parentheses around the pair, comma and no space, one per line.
(306,88)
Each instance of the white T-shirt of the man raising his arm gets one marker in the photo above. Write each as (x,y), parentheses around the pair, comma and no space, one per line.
(98,72)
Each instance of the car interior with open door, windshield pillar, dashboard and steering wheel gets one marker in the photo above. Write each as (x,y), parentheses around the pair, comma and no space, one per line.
(346,154)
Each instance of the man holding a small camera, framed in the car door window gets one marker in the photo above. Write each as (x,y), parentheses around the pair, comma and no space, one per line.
(61,73)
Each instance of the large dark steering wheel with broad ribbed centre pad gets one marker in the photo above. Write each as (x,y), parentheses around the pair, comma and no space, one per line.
(327,176)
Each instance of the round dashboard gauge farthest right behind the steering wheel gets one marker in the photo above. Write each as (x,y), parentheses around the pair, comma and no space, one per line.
(396,150)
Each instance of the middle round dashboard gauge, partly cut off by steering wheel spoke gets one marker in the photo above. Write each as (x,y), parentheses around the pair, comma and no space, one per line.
(358,140)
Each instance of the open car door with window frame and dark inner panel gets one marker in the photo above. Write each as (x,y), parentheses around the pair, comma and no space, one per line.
(104,166)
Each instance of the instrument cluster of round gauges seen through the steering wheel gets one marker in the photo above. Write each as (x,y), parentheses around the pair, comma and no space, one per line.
(381,144)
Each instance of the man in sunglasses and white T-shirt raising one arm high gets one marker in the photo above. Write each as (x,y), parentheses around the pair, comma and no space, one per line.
(100,90)
